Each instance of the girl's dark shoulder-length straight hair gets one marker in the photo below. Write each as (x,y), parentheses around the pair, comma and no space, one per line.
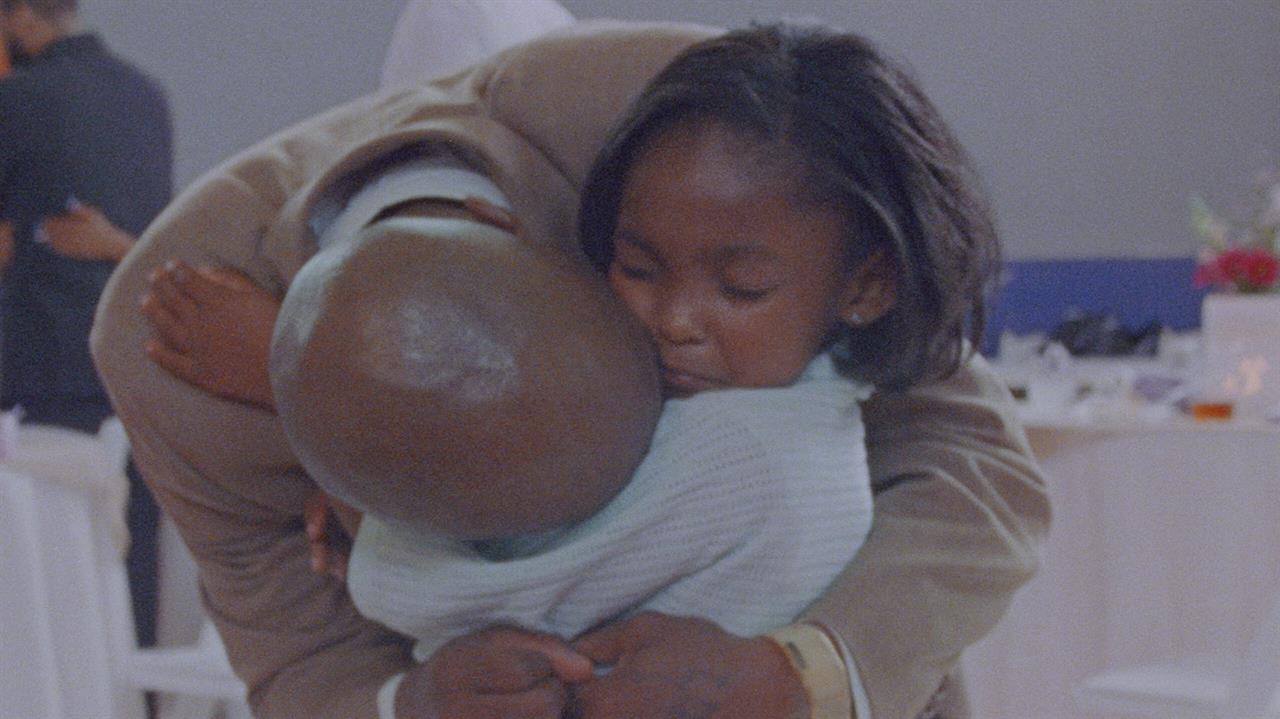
(867,141)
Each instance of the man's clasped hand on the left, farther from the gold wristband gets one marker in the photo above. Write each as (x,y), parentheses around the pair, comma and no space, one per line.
(499,674)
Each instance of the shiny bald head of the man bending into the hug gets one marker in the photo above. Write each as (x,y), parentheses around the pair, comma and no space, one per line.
(444,374)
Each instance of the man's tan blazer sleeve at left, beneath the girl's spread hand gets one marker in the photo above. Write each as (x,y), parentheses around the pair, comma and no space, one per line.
(223,471)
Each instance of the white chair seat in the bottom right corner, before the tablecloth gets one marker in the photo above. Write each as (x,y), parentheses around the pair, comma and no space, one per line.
(1244,688)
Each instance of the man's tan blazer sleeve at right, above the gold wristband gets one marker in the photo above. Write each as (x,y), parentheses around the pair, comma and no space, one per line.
(961,514)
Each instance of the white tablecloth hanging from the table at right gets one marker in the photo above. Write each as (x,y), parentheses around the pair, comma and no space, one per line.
(1165,542)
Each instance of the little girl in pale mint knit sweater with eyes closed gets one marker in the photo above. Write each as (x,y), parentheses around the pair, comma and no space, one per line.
(792,222)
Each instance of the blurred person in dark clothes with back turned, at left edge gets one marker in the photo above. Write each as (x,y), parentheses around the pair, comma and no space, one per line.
(85,166)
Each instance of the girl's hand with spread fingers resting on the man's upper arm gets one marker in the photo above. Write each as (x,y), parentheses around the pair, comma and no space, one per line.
(213,329)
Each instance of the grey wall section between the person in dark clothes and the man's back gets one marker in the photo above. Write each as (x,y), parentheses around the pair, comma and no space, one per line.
(237,71)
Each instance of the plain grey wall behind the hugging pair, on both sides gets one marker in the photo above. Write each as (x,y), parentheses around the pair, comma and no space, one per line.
(1094,121)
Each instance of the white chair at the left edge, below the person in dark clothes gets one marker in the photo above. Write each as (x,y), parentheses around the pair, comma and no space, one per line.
(68,649)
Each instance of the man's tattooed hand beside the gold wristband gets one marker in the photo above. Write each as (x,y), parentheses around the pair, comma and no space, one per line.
(675,667)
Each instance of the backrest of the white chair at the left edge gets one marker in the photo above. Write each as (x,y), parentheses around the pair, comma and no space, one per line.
(63,578)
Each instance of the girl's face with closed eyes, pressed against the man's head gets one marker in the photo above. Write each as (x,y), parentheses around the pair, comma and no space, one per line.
(737,281)
